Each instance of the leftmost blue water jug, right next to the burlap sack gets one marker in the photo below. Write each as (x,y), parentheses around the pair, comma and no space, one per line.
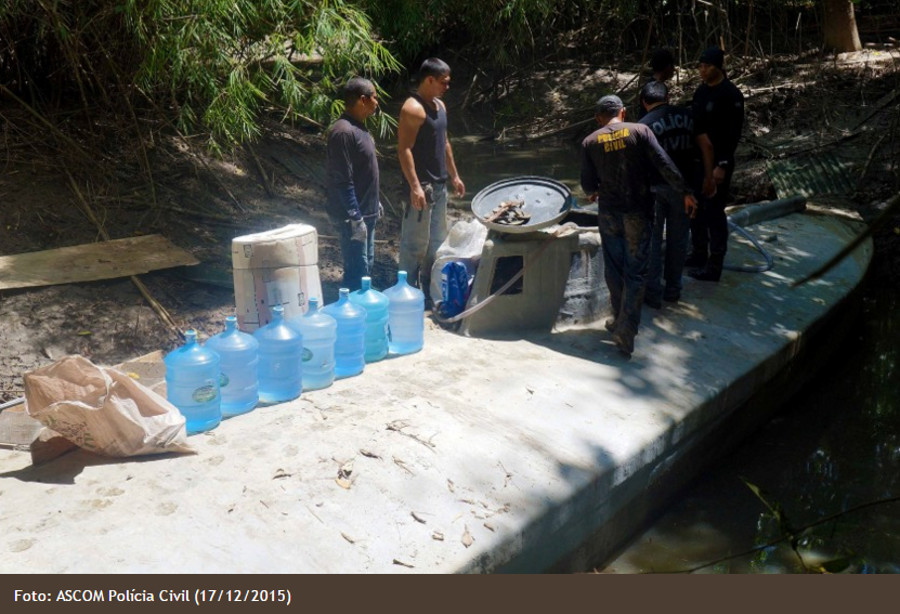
(192,384)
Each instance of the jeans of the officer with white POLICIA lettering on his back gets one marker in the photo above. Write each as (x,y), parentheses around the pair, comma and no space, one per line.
(671,219)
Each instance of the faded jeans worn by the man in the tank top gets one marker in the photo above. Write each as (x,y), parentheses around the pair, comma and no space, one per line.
(421,233)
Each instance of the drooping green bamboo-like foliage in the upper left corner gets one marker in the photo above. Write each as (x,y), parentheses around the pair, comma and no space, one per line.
(212,65)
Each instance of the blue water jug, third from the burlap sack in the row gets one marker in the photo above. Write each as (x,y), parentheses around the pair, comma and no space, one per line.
(280,360)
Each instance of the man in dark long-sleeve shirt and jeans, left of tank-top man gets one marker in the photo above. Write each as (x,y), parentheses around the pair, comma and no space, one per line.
(352,181)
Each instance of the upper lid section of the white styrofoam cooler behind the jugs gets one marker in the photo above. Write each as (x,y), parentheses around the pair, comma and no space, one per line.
(291,245)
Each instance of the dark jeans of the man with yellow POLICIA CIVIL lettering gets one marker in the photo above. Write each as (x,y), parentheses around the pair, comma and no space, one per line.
(625,238)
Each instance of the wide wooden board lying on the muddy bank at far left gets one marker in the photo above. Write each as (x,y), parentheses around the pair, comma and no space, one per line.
(92,262)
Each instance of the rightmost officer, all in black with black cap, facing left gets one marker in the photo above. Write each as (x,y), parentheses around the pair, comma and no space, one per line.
(718,109)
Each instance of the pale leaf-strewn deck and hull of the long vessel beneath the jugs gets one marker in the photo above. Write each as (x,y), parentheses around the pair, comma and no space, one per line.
(473,455)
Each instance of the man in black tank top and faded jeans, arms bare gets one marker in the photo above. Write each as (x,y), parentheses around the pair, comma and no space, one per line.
(426,159)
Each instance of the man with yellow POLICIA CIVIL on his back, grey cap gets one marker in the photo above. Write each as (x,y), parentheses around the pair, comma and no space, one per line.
(619,162)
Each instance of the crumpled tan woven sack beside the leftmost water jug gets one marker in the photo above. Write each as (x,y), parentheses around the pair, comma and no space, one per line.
(103,410)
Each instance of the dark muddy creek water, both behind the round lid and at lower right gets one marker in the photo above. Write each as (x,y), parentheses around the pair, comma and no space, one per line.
(834,448)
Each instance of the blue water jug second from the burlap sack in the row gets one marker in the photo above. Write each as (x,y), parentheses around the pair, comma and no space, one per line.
(239,381)
